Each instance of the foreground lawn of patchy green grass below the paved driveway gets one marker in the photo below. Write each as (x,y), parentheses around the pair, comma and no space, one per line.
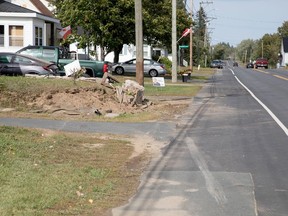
(58,173)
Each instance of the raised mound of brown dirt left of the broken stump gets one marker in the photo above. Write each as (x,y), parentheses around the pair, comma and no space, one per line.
(84,101)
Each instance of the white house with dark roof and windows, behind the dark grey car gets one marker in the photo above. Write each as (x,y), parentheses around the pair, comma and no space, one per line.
(20,26)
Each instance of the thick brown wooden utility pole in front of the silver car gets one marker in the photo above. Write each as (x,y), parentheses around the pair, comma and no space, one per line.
(139,42)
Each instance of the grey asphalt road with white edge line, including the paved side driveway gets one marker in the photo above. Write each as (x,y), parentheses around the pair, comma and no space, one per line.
(226,156)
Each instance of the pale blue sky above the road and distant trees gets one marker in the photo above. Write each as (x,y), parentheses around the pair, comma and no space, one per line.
(232,21)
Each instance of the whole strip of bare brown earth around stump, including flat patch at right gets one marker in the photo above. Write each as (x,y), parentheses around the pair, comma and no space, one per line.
(93,102)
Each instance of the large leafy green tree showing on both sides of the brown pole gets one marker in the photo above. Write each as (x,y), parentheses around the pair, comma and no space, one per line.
(111,23)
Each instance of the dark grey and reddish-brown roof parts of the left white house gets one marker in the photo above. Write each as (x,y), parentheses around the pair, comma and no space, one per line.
(13,8)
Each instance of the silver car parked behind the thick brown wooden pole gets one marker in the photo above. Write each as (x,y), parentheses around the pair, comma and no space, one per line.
(151,67)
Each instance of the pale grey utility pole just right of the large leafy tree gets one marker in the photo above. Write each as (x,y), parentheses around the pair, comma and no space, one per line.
(174,42)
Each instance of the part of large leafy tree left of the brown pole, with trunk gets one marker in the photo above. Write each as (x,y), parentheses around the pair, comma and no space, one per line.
(109,24)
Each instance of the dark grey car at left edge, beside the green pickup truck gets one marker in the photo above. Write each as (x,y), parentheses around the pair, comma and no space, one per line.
(13,64)
